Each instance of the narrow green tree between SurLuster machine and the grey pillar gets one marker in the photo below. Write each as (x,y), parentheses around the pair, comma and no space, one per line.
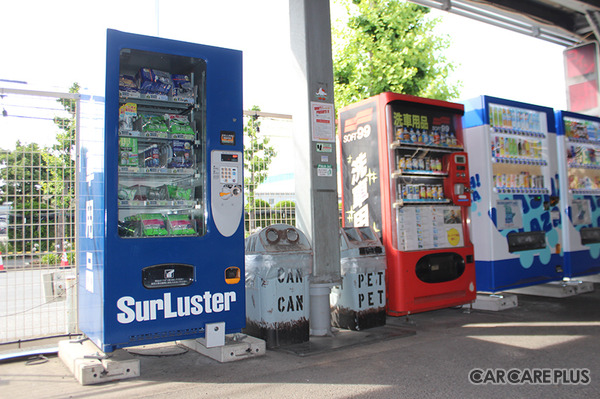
(258,155)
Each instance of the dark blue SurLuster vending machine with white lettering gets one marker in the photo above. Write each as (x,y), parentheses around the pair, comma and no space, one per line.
(161,242)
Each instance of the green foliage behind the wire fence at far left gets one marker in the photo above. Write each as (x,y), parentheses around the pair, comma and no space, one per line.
(38,184)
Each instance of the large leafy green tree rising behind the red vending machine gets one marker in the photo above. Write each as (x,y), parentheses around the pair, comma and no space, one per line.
(388,45)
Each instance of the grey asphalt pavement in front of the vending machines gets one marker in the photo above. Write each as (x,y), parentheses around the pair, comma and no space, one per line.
(546,347)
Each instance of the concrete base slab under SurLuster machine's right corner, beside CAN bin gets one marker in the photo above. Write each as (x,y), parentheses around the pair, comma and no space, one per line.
(237,347)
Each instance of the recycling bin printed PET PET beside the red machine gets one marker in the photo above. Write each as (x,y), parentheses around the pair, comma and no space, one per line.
(359,302)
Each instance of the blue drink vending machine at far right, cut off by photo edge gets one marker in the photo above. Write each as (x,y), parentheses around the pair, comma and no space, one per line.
(579,158)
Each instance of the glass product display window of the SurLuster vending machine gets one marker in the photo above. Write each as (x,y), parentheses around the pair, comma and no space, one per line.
(162,121)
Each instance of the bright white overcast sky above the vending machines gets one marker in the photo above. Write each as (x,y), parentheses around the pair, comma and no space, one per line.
(52,43)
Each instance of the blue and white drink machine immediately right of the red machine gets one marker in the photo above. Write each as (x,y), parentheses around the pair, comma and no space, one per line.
(515,218)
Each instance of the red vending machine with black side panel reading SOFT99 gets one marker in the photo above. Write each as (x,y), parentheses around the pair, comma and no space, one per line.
(405,174)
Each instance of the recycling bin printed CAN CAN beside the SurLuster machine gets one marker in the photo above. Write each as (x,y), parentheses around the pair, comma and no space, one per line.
(278,264)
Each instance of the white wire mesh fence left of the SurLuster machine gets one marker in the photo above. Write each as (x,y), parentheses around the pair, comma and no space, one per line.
(38,132)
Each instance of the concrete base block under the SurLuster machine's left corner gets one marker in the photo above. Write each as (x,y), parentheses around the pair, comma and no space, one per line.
(89,365)
